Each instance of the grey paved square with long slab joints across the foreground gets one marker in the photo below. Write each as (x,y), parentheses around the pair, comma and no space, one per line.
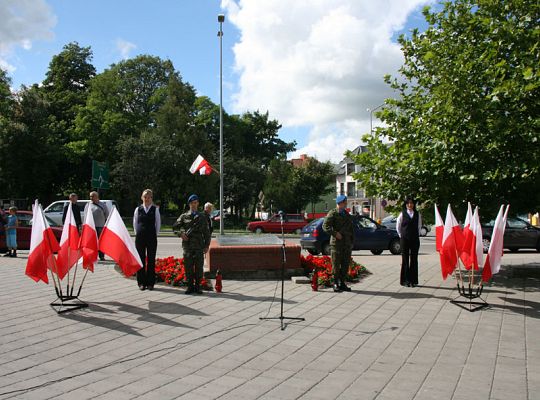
(381,341)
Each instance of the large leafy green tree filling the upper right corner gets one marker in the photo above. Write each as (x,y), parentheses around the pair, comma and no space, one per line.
(464,124)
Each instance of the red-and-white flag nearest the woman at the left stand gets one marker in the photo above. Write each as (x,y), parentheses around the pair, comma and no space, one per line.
(116,243)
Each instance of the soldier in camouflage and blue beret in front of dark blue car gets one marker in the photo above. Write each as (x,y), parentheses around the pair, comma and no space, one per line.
(339,225)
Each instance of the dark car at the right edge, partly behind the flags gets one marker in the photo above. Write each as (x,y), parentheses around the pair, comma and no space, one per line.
(518,234)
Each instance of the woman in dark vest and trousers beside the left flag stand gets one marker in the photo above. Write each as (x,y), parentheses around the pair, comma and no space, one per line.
(146,223)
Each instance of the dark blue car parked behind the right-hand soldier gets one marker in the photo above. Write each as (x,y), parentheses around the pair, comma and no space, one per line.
(368,235)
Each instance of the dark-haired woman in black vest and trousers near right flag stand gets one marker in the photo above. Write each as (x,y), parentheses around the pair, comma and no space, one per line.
(408,225)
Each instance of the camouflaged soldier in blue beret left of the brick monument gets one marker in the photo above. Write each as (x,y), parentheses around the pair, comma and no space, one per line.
(193,229)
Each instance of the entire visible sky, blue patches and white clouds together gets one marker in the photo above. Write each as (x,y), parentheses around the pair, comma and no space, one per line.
(314,65)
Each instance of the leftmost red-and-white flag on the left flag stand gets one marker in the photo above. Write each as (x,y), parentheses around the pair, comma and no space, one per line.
(43,244)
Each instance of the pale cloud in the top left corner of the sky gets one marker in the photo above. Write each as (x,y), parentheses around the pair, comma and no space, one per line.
(23,21)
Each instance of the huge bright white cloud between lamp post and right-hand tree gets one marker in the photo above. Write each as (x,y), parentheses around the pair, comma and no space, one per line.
(317,63)
